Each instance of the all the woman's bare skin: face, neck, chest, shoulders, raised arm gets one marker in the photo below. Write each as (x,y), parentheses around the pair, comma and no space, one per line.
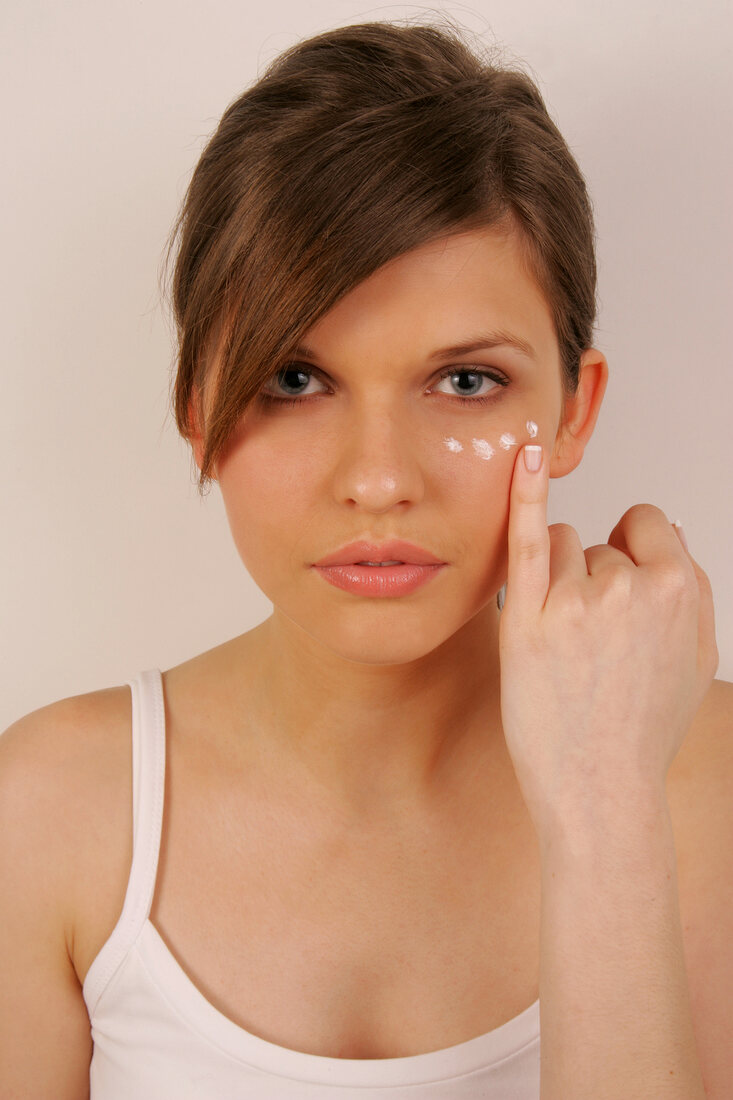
(379,771)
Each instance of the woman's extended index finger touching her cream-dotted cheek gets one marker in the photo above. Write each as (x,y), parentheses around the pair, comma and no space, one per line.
(529,537)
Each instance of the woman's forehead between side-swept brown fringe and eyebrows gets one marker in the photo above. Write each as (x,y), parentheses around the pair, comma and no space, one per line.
(439,294)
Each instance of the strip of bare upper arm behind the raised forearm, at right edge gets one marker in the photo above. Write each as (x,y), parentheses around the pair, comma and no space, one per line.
(701,795)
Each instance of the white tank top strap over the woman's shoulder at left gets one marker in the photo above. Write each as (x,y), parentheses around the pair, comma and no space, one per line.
(148,797)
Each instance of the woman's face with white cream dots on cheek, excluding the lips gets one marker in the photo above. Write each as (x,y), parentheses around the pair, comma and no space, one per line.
(377,444)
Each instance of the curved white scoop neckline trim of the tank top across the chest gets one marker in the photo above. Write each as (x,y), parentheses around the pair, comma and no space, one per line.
(188,1002)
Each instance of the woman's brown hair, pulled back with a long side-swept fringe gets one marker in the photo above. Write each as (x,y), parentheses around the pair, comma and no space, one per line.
(354,148)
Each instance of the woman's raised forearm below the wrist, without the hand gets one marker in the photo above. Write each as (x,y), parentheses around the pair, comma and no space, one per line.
(616,1013)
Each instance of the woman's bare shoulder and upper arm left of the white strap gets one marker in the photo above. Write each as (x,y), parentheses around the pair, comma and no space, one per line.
(64,827)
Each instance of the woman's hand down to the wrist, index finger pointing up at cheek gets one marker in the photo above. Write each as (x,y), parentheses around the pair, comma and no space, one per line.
(606,656)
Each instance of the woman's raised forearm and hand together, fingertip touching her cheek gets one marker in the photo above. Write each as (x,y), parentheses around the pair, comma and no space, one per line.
(606,655)
